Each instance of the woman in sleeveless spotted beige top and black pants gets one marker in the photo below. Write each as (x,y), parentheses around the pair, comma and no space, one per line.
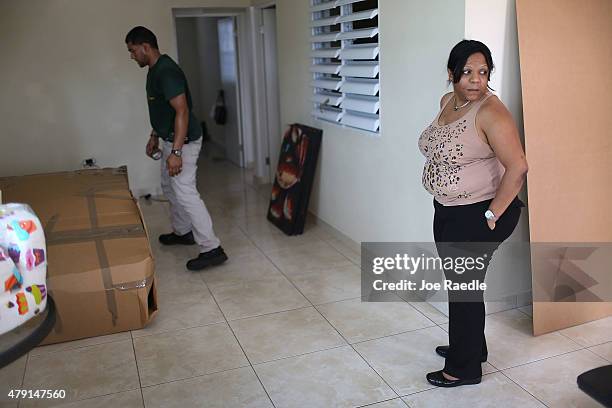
(475,168)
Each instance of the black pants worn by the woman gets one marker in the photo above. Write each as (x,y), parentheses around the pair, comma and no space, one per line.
(462,230)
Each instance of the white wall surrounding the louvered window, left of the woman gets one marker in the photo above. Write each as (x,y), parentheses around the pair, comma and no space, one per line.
(369,187)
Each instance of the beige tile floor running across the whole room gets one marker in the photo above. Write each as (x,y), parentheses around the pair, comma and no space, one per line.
(281,325)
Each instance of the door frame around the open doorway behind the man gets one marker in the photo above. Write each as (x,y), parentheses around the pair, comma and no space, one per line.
(246,135)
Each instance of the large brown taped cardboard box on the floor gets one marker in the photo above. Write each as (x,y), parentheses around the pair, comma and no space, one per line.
(100,266)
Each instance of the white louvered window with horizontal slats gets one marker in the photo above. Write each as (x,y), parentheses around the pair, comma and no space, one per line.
(345,62)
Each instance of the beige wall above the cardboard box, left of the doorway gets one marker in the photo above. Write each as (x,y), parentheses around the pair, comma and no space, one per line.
(71,90)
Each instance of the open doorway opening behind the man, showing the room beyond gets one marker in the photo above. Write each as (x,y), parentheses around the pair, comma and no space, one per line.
(208,49)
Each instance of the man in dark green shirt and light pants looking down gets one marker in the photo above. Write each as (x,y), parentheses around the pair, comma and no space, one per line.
(172,120)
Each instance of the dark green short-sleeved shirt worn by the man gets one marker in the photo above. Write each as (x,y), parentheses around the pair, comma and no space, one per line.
(165,80)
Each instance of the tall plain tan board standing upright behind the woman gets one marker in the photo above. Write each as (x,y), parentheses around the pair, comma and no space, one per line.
(565,63)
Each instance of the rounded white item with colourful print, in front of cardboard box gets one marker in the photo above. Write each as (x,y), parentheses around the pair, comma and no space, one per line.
(23,266)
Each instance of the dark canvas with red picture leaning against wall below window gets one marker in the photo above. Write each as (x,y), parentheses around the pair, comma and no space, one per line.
(294,177)
